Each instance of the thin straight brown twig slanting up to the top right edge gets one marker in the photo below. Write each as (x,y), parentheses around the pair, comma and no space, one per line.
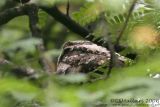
(126,23)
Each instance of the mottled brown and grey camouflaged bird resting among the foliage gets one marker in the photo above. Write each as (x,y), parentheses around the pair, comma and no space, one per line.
(84,56)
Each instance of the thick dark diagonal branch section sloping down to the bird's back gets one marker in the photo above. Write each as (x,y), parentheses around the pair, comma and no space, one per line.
(75,27)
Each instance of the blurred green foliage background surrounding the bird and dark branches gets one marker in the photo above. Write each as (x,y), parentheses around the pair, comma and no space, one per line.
(137,82)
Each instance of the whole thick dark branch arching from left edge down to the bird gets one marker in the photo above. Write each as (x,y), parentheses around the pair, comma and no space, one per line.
(10,14)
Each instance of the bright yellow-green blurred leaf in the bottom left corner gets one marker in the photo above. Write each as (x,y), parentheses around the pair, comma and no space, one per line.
(12,91)
